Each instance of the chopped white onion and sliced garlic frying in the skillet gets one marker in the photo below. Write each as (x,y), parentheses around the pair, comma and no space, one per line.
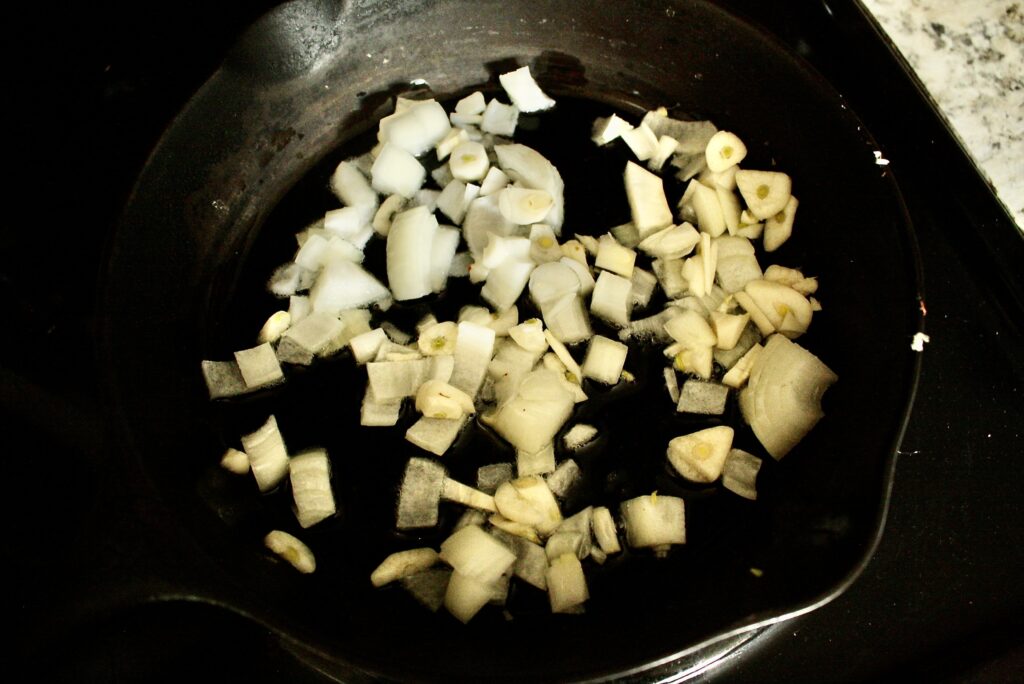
(728,328)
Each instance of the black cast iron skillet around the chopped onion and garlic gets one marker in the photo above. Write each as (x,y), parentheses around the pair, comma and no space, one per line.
(212,211)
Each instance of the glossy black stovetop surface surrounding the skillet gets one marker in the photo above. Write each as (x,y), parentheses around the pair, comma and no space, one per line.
(93,91)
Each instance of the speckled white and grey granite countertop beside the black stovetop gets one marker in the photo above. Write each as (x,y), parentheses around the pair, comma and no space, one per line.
(969,55)
